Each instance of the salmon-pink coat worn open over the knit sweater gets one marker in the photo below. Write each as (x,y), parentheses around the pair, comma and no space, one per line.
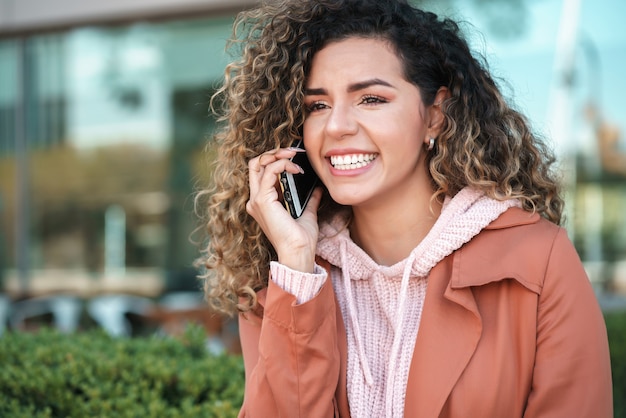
(510,328)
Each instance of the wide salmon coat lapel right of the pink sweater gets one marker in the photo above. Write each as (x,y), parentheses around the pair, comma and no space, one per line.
(449,332)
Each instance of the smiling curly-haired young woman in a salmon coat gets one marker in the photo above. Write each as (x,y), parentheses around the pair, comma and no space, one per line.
(428,276)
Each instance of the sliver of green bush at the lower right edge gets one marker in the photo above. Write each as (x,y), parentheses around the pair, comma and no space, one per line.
(616,328)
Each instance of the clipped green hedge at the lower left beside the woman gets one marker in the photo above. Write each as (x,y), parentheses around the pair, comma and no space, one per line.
(49,374)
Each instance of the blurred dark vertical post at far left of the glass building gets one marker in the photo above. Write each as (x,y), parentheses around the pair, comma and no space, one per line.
(22,212)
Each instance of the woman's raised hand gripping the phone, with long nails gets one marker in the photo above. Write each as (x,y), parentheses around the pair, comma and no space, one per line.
(294,240)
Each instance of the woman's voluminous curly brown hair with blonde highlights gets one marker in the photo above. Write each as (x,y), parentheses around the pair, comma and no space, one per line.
(484,143)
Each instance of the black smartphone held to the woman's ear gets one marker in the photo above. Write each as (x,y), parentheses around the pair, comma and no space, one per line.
(297,188)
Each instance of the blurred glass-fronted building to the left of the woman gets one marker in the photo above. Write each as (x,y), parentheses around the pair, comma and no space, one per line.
(103,119)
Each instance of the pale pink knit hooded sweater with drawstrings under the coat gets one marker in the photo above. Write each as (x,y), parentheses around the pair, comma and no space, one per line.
(382,305)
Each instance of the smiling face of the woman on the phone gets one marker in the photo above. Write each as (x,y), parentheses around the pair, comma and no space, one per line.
(366,125)
